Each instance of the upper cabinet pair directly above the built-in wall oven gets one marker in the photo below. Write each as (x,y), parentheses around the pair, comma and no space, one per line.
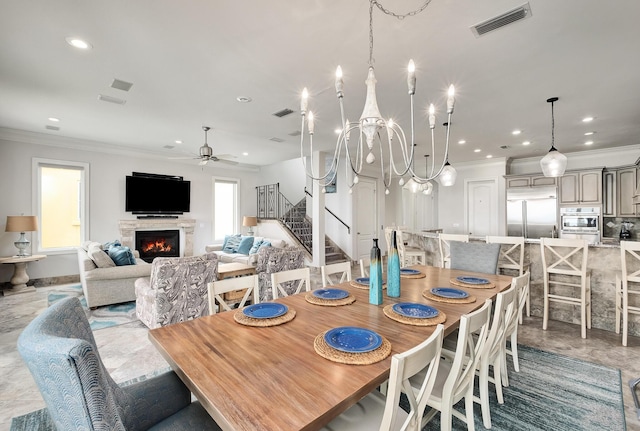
(582,187)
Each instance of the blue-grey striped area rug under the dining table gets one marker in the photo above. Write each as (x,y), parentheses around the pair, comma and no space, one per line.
(551,392)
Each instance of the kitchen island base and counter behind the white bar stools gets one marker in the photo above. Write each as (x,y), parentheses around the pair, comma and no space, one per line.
(603,261)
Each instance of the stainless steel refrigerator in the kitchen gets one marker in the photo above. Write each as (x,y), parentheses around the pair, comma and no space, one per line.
(532,212)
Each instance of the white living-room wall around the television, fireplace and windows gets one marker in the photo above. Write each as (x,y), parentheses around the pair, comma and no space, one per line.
(106,192)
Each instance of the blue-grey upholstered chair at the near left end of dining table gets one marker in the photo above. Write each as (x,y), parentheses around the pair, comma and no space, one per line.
(60,351)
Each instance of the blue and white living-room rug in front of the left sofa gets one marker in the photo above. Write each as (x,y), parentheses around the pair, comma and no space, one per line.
(102,317)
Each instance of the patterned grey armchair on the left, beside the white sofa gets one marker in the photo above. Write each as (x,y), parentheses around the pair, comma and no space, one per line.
(176,291)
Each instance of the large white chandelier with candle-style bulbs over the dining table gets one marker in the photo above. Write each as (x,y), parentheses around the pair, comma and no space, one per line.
(373,129)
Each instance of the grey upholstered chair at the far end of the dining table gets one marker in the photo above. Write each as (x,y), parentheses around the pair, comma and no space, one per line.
(474,256)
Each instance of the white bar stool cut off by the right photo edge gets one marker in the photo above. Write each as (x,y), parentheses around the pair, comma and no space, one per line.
(630,277)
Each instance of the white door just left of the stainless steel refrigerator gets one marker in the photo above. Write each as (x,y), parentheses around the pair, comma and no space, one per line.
(482,205)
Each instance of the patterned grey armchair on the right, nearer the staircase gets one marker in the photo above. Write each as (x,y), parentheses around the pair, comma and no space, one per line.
(272,260)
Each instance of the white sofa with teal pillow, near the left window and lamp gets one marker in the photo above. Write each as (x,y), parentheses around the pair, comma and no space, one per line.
(108,284)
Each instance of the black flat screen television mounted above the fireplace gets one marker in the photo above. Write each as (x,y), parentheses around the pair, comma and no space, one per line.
(157,194)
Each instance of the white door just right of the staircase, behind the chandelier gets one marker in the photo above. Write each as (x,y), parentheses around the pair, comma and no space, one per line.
(366,215)
